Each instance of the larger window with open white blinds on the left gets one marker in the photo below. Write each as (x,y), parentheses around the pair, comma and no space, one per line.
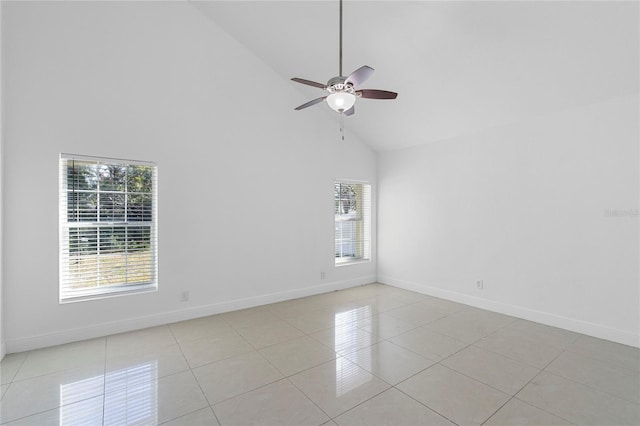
(108,228)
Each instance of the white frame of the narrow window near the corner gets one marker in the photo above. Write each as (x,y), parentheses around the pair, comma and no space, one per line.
(365,241)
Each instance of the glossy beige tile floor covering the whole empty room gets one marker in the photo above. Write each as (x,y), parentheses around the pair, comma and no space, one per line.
(365,356)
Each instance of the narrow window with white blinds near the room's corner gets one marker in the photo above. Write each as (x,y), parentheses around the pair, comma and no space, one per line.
(352,221)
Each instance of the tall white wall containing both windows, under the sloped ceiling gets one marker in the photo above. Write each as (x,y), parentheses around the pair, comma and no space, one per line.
(243,178)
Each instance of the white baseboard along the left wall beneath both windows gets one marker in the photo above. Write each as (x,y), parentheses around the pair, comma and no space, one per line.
(130,324)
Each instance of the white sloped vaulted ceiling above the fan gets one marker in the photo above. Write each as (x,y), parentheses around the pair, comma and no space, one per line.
(459,67)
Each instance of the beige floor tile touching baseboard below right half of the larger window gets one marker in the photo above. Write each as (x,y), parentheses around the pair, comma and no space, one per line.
(140,340)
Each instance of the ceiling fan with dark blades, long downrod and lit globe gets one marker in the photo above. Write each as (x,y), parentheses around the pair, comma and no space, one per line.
(342,92)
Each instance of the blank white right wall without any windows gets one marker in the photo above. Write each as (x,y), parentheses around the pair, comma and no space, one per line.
(530,209)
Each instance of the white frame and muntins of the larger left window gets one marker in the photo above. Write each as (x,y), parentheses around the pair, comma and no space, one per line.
(66,293)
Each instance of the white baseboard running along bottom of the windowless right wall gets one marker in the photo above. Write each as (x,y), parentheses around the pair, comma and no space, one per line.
(547,318)
